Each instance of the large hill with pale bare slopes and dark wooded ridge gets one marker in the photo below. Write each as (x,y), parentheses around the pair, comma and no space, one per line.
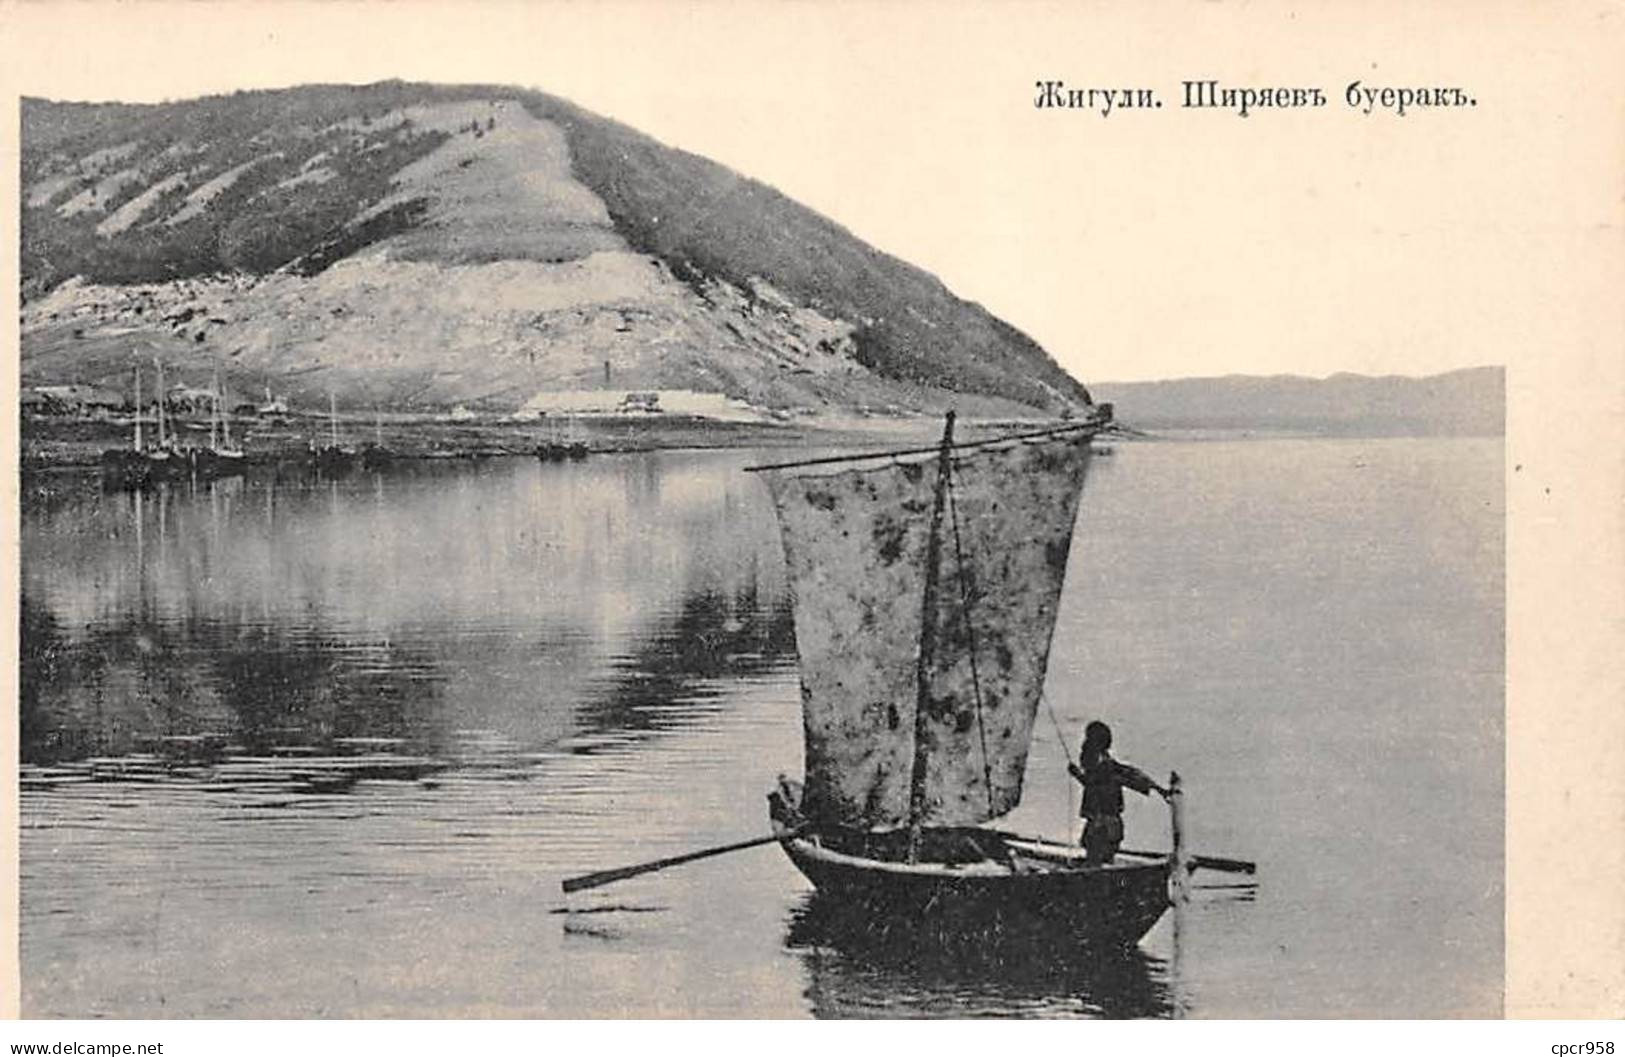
(422,246)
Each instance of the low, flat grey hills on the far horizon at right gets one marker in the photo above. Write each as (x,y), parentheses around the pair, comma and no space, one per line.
(1470,402)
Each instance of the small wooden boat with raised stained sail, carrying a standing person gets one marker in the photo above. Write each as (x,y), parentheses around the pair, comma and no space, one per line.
(925,591)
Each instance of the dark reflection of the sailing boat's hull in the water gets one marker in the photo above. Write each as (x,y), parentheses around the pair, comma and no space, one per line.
(864,968)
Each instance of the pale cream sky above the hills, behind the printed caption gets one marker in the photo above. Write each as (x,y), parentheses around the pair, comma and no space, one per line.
(1132,246)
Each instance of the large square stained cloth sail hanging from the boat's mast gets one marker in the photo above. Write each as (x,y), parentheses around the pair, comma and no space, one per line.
(857,544)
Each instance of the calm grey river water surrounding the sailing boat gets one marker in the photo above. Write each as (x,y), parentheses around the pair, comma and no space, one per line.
(327,749)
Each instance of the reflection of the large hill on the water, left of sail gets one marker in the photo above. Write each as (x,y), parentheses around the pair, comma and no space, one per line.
(509,598)
